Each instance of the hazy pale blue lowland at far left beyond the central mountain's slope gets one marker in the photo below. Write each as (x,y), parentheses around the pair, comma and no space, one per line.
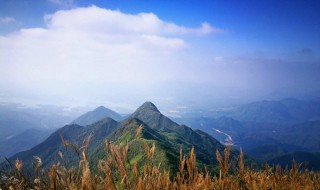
(22,127)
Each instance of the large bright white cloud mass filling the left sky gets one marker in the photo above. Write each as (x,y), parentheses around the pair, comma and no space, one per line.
(94,52)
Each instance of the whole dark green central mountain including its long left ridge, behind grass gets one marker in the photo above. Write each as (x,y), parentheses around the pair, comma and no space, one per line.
(157,128)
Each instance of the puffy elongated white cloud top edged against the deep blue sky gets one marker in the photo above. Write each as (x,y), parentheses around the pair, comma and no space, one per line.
(111,21)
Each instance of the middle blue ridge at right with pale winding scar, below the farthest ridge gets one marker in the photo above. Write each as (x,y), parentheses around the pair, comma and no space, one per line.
(248,135)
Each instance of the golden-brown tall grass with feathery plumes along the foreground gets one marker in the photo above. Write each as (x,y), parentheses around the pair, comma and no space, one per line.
(117,172)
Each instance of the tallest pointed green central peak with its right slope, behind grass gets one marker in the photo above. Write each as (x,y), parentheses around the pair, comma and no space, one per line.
(168,137)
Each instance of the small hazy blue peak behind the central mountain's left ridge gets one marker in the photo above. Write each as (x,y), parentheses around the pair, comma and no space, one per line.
(96,115)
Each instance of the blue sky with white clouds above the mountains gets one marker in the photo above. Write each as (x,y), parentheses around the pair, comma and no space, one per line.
(179,54)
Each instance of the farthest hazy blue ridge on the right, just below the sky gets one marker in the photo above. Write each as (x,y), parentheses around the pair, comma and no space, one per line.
(284,111)
